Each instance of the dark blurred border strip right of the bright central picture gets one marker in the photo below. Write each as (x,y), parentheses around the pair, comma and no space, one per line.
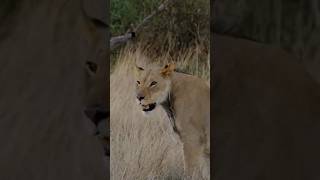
(292,26)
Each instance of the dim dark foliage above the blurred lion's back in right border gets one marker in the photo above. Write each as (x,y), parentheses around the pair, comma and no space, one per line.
(292,25)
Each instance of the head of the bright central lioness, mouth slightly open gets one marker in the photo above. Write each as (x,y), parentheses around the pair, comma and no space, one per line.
(152,84)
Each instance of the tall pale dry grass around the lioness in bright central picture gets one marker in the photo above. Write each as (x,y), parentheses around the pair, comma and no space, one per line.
(145,147)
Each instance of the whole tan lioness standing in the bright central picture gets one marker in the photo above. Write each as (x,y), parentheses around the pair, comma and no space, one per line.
(186,101)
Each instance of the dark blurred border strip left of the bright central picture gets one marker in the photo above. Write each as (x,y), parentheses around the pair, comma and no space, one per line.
(9,19)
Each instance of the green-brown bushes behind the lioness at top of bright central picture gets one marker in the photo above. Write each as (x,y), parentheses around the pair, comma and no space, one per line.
(185,22)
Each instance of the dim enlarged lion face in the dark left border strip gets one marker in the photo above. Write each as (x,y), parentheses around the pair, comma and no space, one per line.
(96,107)
